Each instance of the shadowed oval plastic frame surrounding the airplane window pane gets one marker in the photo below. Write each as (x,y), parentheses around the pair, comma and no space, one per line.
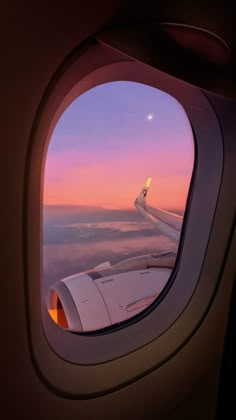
(81,365)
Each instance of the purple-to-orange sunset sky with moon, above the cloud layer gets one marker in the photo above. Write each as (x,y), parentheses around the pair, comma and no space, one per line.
(110,139)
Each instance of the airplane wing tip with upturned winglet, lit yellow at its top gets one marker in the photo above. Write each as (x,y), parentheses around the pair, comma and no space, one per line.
(169,224)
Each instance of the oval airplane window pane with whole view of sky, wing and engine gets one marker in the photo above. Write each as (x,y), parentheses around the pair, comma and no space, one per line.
(117,175)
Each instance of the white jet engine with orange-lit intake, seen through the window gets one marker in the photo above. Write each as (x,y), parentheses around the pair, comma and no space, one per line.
(106,296)
